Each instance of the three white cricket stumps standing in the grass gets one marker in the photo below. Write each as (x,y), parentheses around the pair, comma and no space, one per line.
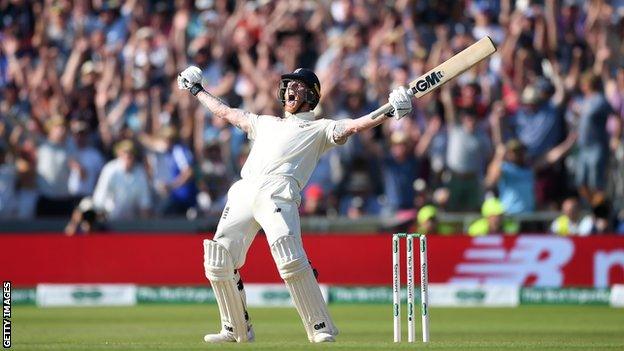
(396,286)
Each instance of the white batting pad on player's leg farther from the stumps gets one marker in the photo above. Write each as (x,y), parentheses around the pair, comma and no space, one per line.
(220,271)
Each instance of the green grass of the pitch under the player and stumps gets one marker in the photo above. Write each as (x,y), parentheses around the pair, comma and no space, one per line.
(363,327)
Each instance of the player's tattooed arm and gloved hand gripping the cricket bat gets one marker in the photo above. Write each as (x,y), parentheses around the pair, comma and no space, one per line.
(402,105)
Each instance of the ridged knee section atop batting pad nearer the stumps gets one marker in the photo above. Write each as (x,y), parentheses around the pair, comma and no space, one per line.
(289,256)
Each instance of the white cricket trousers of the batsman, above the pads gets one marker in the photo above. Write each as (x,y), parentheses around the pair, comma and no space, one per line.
(270,202)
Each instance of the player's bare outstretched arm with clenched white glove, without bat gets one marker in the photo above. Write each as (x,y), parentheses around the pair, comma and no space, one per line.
(190,79)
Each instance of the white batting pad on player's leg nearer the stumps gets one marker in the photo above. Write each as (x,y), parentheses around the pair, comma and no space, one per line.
(295,269)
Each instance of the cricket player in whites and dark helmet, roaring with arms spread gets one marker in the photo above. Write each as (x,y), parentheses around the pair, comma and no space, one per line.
(285,151)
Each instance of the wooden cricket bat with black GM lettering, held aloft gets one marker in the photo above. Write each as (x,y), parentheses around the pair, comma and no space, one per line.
(446,71)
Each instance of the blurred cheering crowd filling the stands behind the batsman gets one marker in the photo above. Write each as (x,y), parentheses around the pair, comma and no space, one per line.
(93,127)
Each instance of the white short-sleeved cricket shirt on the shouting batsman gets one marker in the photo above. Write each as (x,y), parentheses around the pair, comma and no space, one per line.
(289,146)
